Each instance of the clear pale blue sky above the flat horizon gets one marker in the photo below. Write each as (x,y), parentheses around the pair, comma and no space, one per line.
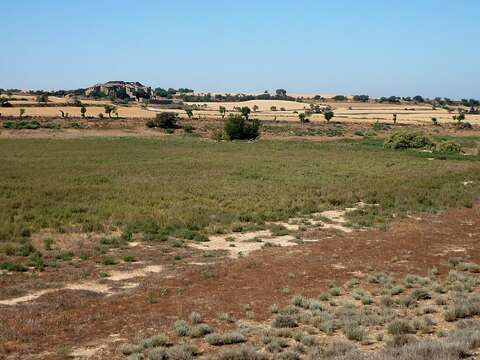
(377,47)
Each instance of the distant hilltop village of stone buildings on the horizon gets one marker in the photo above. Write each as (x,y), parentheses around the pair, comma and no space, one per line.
(120,90)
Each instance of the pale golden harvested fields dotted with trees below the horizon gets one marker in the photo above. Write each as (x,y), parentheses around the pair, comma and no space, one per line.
(344,111)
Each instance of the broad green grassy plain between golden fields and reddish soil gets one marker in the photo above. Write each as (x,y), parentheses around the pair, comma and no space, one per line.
(96,184)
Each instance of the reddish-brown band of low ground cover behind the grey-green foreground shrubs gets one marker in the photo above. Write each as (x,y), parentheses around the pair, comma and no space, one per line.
(74,318)
